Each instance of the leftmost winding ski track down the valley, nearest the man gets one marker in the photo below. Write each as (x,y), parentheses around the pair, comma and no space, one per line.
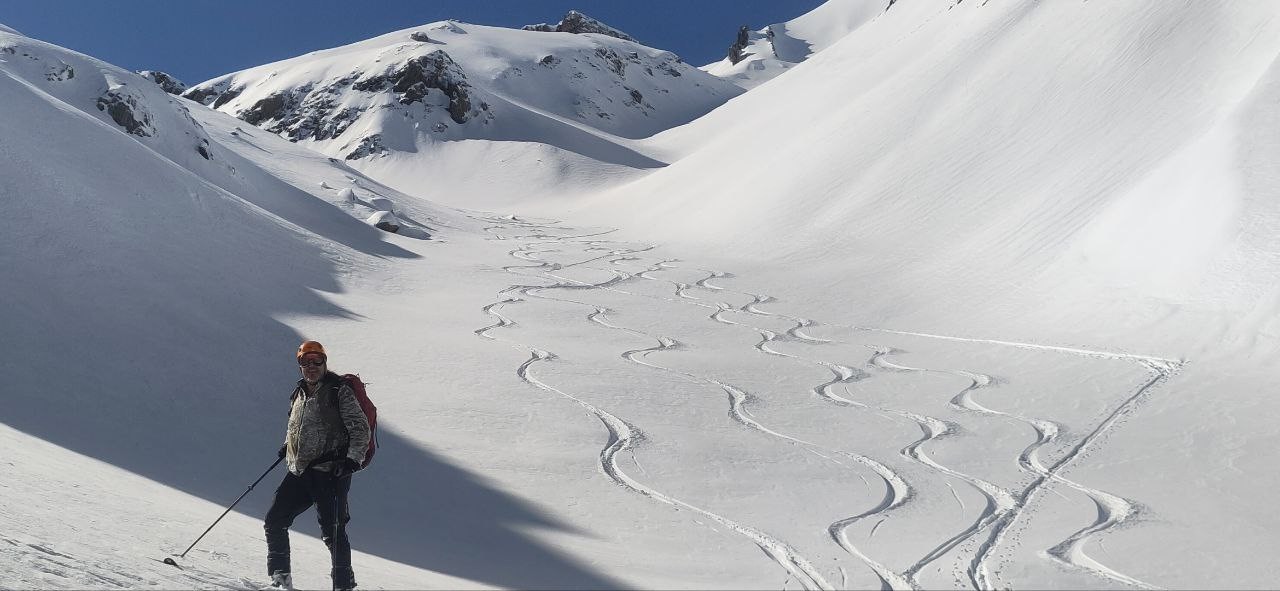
(623,436)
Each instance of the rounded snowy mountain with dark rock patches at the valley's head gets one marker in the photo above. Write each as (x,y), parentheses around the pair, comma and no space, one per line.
(546,112)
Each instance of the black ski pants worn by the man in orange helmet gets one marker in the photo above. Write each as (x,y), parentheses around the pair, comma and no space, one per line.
(295,496)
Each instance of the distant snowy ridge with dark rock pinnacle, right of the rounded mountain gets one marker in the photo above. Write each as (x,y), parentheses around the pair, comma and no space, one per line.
(758,57)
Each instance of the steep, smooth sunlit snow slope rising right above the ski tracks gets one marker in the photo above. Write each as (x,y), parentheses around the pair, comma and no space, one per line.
(982,141)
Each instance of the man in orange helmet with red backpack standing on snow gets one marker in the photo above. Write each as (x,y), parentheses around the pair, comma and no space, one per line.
(324,445)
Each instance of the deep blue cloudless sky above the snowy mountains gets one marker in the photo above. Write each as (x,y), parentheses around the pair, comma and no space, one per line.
(198,40)
